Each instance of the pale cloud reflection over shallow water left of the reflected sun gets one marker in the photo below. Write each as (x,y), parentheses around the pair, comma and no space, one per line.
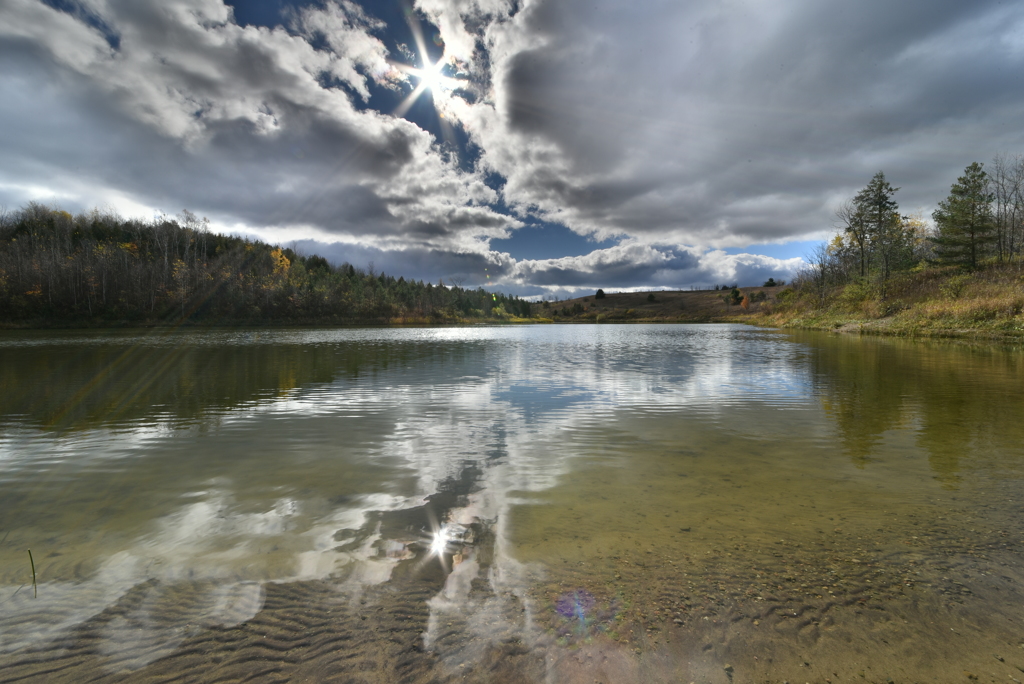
(203,567)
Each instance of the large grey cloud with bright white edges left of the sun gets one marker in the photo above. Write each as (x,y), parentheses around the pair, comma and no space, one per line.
(240,122)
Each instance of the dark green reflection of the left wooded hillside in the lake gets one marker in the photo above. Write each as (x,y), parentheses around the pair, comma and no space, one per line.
(69,387)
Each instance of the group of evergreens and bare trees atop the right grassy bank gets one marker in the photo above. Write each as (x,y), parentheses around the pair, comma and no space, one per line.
(983,219)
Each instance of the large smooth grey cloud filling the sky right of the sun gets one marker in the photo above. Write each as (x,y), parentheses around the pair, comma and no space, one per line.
(748,120)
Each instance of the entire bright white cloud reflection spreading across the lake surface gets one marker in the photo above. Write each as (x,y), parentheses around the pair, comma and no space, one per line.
(514,409)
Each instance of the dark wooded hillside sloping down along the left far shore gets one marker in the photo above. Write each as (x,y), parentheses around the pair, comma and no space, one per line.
(99,268)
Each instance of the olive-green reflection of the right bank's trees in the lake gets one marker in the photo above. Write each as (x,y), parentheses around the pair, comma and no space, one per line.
(965,403)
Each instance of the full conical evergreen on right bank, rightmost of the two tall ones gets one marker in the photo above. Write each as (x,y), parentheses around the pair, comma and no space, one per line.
(965,219)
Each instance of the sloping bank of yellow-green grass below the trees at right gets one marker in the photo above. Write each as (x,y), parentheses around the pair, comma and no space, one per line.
(931,302)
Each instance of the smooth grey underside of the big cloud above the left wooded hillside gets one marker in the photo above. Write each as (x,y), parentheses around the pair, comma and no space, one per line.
(288,180)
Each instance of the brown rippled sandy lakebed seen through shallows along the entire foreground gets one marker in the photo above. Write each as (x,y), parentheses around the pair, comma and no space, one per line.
(849,608)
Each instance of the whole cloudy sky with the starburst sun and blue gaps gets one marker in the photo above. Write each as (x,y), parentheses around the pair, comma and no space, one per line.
(540,148)
